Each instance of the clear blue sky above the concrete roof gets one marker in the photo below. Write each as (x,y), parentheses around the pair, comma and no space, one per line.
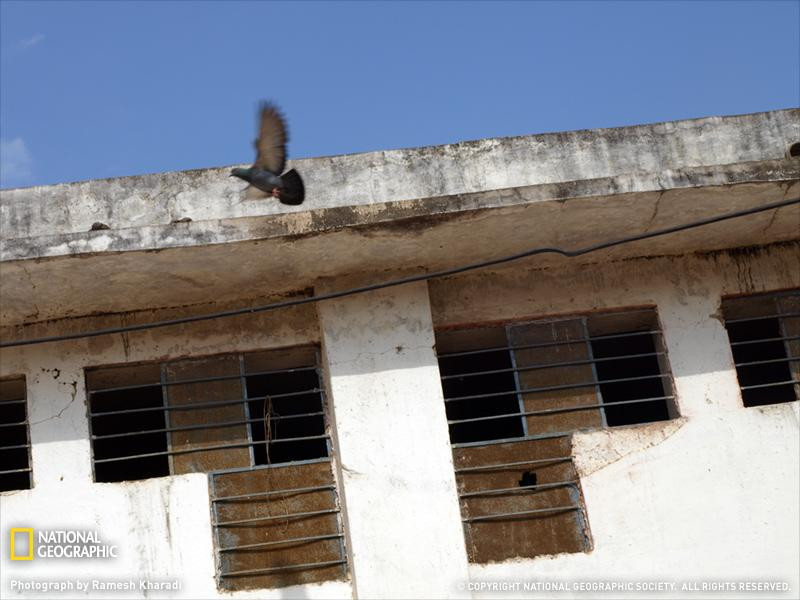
(92,90)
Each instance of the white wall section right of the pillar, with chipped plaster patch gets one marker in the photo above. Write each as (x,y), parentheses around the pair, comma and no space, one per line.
(712,496)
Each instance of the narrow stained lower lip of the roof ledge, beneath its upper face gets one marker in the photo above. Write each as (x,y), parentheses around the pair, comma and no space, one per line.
(408,215)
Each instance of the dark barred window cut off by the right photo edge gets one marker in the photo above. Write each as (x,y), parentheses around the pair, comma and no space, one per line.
(764,333)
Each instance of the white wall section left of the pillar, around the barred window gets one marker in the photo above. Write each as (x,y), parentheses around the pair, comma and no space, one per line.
(162,525)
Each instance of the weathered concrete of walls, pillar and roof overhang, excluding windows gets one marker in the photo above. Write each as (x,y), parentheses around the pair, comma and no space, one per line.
(710,496)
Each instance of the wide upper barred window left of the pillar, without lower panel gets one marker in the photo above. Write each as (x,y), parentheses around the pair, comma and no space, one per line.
(206,414)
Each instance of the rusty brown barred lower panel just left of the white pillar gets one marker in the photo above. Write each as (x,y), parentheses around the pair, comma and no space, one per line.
(277,526)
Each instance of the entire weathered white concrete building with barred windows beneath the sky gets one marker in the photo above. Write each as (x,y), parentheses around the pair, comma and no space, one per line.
(628,416)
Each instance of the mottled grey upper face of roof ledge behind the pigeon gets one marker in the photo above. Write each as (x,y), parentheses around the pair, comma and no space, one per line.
(403,175)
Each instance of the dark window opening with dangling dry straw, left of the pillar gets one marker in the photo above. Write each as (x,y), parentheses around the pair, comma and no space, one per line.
(290,413)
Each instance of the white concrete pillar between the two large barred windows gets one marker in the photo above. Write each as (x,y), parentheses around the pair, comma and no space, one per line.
(401,509)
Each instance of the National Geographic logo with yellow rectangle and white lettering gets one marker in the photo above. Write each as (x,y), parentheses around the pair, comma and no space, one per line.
(25,543)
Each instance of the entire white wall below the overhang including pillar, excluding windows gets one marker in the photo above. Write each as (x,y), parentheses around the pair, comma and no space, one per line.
(713,495)
